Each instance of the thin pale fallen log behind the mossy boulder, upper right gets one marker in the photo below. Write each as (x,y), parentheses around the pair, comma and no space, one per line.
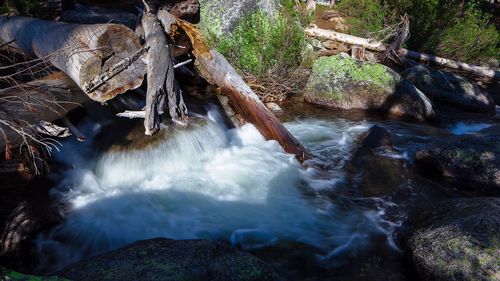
(382,47)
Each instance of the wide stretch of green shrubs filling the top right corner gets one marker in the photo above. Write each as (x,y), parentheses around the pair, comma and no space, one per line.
(440,27)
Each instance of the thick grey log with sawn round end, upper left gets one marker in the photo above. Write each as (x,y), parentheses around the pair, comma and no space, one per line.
(103,59)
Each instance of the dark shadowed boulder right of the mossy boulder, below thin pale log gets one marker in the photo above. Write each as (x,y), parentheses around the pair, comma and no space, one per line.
(447,89)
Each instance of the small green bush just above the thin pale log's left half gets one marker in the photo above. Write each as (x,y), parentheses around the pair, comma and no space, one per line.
(364,16)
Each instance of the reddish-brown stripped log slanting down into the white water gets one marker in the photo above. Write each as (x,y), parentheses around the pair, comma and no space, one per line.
(241,98)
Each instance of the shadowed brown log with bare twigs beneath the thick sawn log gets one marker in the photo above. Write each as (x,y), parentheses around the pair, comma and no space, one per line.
(23,106)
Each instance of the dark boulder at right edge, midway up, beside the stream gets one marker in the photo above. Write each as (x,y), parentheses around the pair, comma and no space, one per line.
(470,162)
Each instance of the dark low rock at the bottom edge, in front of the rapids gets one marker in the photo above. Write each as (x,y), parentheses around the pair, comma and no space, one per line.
(165,259)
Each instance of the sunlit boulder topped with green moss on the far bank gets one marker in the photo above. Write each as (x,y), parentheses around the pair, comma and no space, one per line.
(344,83)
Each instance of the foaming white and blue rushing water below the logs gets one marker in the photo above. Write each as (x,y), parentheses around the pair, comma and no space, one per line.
(210,183)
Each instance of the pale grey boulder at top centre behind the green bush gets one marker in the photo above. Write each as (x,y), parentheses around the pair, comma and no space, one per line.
(220,17)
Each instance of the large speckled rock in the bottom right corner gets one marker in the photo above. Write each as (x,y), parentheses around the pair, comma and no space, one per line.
(458,241)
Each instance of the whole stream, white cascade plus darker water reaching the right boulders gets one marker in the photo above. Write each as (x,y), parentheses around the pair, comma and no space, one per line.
(210,182)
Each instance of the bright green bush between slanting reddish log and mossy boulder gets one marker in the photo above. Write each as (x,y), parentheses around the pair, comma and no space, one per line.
(260,43)
